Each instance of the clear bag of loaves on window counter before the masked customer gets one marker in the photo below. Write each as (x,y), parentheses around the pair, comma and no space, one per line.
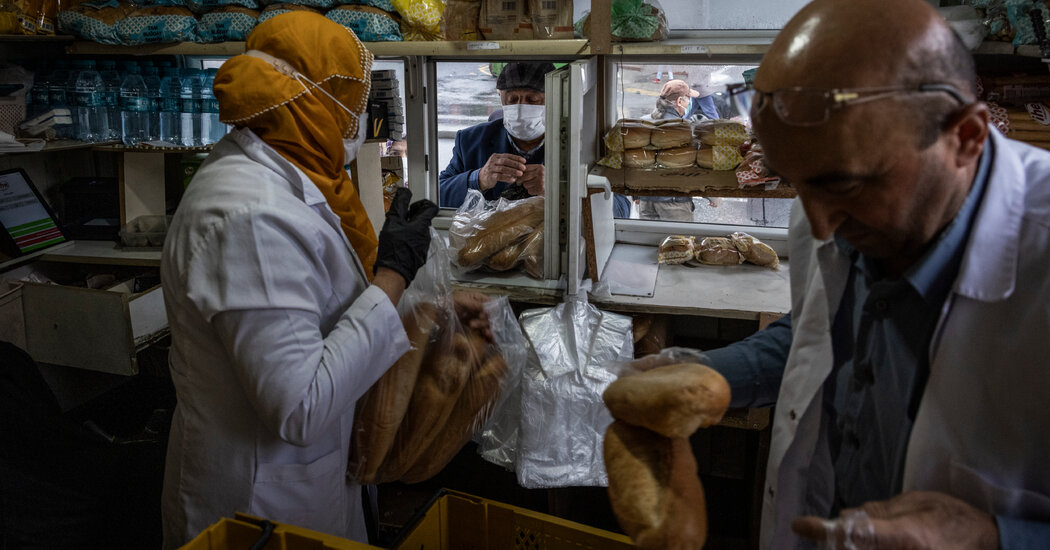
(499,235)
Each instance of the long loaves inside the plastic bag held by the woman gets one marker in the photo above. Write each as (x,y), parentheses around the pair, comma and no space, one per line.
(414,420)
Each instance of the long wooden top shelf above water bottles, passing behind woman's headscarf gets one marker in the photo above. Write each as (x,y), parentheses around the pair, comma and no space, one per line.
(383,50)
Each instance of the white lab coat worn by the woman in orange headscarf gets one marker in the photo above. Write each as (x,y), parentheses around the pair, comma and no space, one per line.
(276,335)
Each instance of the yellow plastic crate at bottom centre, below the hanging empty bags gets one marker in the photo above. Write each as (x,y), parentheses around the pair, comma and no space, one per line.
(458,521)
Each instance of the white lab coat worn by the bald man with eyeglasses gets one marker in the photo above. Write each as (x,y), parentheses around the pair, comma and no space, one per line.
(980,433)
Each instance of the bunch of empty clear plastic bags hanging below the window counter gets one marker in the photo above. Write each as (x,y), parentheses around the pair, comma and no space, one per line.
(574,347)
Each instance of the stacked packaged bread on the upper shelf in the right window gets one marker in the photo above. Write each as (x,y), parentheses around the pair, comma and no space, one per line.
(675,144)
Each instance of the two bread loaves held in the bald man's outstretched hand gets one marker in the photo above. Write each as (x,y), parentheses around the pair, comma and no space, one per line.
(654,484)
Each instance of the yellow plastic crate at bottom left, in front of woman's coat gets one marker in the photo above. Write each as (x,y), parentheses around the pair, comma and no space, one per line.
(242,533)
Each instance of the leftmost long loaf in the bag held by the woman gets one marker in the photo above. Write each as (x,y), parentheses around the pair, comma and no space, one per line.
(383,408)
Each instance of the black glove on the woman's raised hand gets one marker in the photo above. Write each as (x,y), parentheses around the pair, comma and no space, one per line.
(406,237)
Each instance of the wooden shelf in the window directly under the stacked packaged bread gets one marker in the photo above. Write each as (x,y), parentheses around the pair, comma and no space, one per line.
(694,182)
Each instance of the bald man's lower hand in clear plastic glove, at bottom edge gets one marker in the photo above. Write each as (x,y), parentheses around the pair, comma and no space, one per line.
(916,520)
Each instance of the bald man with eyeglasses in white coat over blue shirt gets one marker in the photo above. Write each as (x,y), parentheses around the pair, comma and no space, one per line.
(912,377)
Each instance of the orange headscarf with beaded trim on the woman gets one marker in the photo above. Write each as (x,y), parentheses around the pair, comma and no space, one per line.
(306,126)
